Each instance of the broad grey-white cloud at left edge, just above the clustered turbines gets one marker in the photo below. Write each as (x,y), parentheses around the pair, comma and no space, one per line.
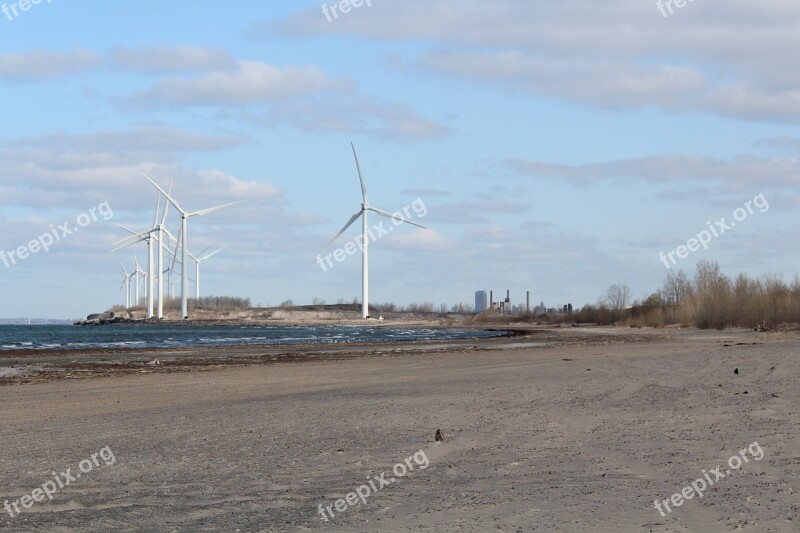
(70,171)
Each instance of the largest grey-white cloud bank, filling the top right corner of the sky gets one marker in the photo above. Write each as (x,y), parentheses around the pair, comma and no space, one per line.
(618,53)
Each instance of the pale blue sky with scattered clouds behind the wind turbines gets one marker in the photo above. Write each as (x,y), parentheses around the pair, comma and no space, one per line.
(557,147)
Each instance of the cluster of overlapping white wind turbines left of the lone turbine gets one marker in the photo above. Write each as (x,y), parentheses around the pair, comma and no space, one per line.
(158,235)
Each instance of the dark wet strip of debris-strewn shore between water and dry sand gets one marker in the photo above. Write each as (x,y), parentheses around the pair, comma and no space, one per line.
(22,367)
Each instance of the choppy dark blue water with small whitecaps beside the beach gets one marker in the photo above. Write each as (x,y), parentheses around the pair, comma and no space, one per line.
(148,336)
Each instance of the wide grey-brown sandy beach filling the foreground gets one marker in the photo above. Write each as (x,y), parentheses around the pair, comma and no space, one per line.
(572,429)
